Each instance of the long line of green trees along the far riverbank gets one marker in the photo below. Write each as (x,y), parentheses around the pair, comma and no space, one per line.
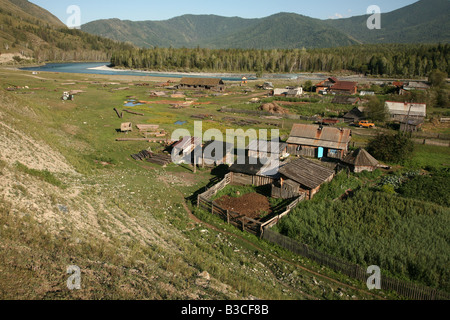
(386,59)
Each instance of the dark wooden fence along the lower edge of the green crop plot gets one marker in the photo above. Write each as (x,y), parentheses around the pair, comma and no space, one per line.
(406,289)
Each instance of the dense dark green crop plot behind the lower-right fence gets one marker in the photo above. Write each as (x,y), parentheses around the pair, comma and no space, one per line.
(406,238)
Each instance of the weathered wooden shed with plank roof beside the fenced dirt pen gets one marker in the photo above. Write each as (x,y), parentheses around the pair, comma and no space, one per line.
(301,176)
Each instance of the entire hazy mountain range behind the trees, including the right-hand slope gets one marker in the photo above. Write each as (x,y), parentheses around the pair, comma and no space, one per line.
(422,22)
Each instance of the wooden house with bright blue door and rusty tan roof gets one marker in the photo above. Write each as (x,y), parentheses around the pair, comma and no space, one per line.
(316,141)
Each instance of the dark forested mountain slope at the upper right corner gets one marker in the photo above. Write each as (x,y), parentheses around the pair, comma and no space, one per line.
(425,21)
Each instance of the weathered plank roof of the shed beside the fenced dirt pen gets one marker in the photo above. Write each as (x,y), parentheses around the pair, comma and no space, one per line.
(306,173)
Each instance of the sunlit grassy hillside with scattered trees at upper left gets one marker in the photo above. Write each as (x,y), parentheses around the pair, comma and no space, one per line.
(29,32)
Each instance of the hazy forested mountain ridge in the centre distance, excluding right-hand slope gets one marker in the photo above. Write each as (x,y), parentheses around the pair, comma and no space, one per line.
(283,30)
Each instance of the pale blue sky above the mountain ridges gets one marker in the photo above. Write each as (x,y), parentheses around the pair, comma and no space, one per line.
(139,10)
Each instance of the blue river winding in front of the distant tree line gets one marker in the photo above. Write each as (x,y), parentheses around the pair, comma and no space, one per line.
(85,68)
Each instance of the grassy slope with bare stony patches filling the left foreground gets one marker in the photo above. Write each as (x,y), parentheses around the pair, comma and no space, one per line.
(123,224)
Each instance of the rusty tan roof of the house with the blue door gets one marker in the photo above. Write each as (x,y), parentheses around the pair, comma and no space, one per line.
(316,136)
